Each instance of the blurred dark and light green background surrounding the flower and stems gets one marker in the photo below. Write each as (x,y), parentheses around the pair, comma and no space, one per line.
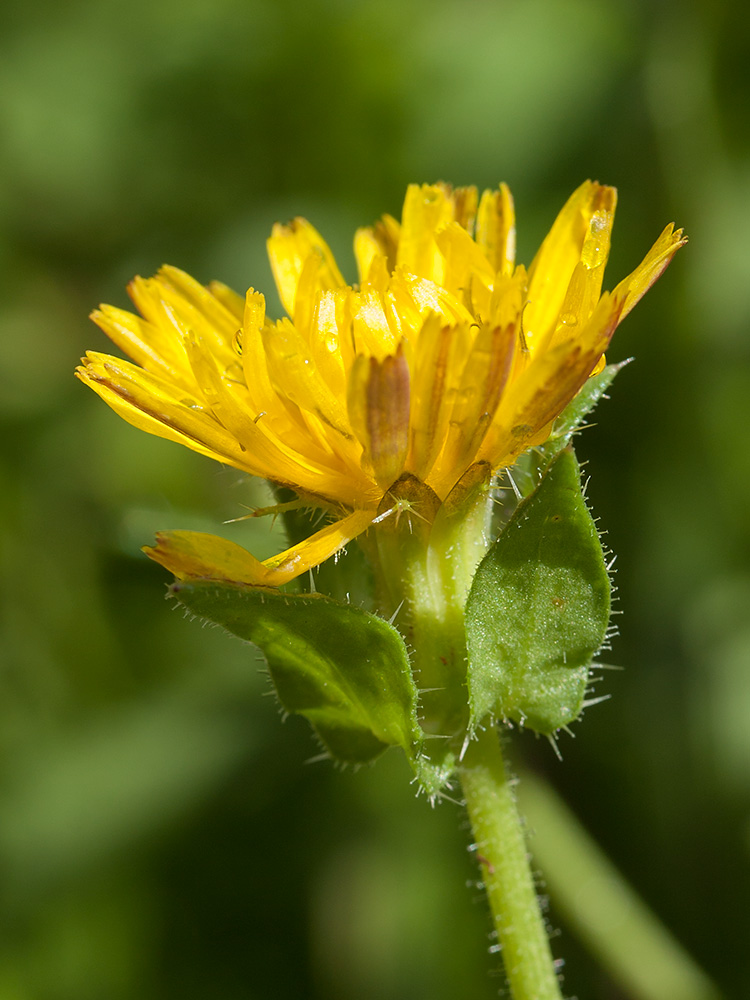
(161,835)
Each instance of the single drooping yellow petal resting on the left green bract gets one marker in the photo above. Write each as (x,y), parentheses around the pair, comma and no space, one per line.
(193,555)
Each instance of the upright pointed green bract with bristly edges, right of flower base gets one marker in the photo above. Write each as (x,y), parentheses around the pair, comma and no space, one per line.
(538,608)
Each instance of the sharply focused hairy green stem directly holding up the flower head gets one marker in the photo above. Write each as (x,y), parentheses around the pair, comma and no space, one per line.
(501,850)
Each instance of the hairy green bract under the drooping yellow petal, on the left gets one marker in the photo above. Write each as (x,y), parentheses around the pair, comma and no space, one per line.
(345,670)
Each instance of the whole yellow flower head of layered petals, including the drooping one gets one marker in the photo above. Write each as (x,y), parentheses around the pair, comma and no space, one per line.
(445,354)
